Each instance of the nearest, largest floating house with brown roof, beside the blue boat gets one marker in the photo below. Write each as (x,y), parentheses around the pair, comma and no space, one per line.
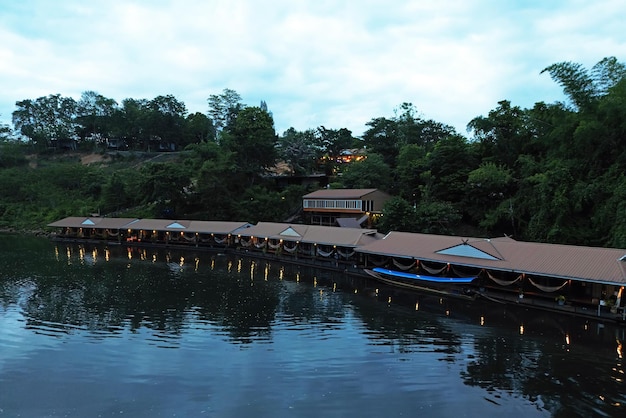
(584,275)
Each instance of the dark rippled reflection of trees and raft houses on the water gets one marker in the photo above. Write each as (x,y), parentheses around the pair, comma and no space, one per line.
(567,366)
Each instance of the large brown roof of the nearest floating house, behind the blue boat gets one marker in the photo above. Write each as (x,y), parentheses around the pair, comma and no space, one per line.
(505,254)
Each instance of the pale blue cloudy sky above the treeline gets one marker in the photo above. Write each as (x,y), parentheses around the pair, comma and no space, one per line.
(334,63)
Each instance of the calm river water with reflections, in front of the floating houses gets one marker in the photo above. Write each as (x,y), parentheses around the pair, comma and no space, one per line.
(87,331)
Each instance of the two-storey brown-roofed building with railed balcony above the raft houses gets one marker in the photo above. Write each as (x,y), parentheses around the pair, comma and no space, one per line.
(344,207)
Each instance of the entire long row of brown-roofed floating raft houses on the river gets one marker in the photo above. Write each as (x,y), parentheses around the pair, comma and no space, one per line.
(587,281)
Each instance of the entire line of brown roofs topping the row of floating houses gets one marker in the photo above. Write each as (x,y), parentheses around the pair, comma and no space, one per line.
(601,265)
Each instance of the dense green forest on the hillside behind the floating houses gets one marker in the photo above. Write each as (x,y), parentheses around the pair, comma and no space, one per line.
(551,173)
